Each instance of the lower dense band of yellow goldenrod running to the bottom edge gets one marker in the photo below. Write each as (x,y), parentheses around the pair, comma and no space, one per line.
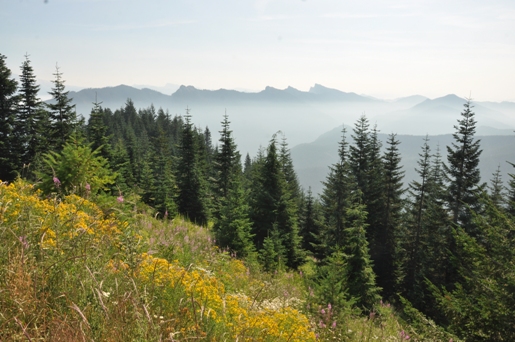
(240,315)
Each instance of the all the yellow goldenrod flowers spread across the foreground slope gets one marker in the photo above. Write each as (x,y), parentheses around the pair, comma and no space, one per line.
(176,301)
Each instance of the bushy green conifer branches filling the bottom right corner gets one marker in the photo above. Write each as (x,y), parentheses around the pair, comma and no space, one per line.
(481,305)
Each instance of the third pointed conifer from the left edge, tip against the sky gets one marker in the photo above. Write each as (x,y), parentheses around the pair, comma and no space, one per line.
(63,119)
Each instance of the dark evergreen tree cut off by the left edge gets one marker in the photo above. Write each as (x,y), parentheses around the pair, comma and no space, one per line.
(9,157)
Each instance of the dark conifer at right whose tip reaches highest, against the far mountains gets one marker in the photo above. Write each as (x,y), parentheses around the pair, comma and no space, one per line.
(462,171)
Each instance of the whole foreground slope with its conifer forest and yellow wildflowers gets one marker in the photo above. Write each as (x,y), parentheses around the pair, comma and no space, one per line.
(136,225)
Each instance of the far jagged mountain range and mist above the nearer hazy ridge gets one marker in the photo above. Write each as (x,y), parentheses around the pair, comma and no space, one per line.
(302,115)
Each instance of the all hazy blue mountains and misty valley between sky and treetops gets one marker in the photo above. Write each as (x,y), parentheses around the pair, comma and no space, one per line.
(308,120)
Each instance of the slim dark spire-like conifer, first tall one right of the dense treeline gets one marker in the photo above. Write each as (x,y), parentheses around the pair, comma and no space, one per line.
(190,200)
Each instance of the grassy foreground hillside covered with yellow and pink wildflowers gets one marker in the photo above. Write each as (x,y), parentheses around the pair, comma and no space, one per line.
(105,269)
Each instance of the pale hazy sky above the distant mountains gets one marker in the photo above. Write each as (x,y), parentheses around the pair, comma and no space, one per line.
(381,48)
